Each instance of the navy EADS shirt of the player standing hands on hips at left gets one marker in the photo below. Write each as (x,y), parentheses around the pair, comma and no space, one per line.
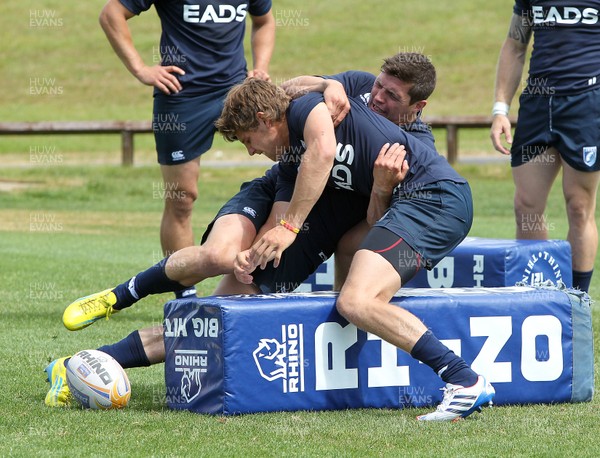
(203,37)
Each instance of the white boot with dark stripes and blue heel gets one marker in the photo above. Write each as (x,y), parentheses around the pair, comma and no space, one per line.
(460,401)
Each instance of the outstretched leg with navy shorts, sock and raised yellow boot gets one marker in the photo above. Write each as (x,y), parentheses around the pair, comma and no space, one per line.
(233,230)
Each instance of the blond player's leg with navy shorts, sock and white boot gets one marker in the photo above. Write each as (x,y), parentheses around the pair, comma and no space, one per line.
(393,251)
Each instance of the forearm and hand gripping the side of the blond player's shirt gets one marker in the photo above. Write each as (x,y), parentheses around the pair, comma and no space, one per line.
(389,170)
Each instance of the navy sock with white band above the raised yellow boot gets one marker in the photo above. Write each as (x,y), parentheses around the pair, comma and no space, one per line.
(151,281)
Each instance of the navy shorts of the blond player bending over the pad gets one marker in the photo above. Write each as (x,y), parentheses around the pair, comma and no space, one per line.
(432,220)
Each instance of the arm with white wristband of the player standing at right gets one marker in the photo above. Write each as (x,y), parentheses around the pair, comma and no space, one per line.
(508,76)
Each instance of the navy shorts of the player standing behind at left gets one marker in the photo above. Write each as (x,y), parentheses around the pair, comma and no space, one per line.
(184,126)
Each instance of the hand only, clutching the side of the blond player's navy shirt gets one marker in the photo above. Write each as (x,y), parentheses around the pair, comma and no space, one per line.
(390,168)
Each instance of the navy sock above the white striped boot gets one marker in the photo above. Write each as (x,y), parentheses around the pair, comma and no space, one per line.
(450,367)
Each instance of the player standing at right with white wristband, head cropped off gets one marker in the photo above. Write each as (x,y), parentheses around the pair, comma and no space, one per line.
(559,120)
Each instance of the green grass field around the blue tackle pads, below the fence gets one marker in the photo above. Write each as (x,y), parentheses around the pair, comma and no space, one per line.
(75,230)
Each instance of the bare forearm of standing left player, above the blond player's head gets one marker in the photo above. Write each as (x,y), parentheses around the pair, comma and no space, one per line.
(262,40)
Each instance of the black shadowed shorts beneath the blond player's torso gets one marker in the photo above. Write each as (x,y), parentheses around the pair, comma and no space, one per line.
(335,213)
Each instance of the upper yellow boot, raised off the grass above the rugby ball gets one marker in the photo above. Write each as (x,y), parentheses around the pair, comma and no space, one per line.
(86,310)
